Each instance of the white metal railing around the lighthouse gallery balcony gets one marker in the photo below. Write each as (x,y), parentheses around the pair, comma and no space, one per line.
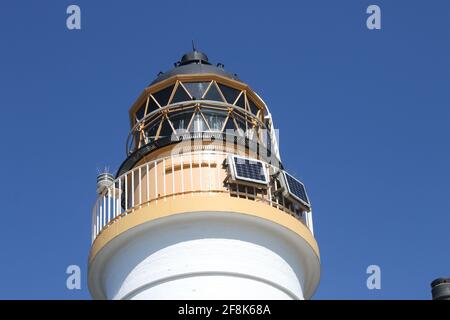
(201,172)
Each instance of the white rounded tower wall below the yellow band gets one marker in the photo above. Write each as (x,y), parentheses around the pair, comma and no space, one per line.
(206,255)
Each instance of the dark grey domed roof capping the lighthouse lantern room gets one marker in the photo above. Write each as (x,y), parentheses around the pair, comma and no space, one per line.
(194,62)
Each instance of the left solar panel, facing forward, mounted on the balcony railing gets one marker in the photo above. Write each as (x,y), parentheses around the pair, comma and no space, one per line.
(248,170)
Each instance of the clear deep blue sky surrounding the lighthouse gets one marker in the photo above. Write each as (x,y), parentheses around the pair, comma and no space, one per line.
(372,107)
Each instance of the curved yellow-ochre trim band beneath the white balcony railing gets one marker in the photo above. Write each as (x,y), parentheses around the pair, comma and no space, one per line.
(198,203)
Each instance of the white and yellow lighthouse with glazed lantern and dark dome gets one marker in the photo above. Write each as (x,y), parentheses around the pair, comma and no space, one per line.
(202,206)
